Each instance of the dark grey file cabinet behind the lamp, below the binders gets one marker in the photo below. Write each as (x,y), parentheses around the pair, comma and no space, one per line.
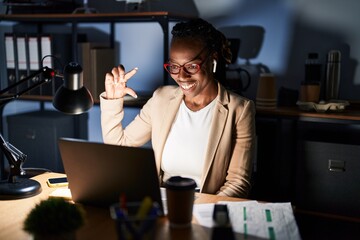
(36,135)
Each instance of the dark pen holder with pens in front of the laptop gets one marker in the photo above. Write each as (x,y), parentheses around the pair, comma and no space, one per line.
(132,225)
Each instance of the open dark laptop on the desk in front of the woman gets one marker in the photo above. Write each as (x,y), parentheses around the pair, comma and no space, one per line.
(98,174)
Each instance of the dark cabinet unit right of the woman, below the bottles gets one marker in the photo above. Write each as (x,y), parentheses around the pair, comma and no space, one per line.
(309,159)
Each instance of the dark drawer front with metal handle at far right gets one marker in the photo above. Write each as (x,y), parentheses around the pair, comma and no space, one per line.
(328,178)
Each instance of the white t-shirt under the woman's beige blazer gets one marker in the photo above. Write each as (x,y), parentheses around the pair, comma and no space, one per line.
(186,144)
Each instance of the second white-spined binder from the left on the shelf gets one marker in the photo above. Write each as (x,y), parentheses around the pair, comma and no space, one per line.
(22,67)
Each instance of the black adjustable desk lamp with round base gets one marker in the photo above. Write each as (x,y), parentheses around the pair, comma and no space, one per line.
(71,98)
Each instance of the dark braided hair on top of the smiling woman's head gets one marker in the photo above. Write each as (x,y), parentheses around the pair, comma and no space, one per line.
(207,33)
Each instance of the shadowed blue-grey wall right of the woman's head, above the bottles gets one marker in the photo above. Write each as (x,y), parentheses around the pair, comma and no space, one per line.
(294,28)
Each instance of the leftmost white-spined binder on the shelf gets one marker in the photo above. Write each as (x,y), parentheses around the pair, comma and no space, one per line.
(10,60)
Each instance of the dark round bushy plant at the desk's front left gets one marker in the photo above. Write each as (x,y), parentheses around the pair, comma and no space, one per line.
(54,218)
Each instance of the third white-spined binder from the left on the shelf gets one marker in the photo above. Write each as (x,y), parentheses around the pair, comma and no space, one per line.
(33,46)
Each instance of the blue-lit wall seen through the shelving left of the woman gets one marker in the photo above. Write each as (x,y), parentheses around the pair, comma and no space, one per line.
(139,45)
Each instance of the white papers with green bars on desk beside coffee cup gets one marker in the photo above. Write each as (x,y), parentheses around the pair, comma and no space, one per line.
(273,221)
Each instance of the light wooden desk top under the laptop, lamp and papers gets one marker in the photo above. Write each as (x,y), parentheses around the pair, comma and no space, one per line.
(98,225)
